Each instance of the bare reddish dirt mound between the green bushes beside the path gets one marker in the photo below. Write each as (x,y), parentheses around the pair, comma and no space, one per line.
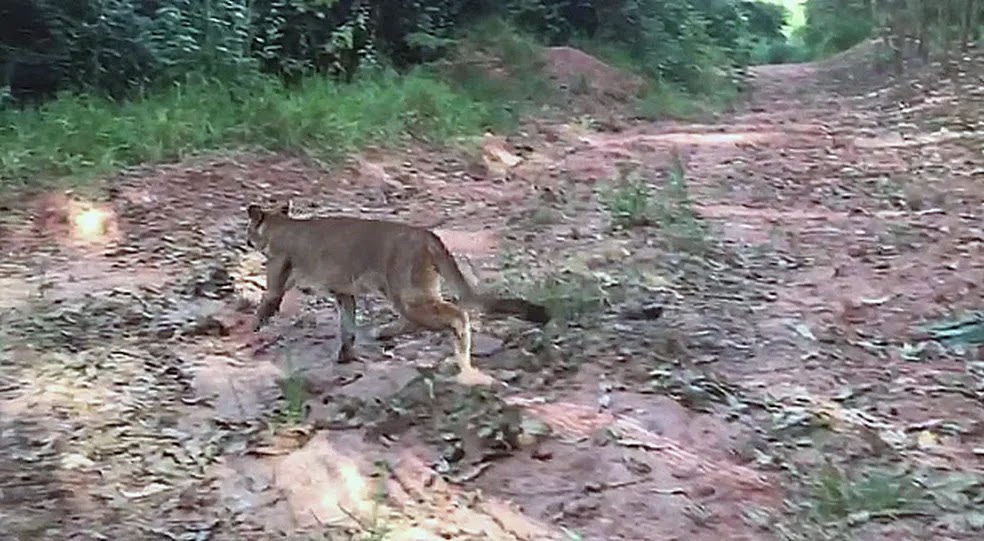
(581,73)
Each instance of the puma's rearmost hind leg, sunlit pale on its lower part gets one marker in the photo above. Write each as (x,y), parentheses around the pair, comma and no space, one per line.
(438,315)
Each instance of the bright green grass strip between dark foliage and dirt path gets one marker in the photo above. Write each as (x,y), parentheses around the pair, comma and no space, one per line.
(80,135)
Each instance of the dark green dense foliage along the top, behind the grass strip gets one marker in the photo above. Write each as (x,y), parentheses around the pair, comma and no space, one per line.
(119,47)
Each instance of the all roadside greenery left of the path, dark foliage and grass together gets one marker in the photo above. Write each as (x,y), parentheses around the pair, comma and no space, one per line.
(91,87)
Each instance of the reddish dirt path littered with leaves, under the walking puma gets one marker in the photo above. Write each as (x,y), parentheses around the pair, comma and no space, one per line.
(794,254)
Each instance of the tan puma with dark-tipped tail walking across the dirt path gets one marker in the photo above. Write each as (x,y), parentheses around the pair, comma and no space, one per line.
(347,257)
